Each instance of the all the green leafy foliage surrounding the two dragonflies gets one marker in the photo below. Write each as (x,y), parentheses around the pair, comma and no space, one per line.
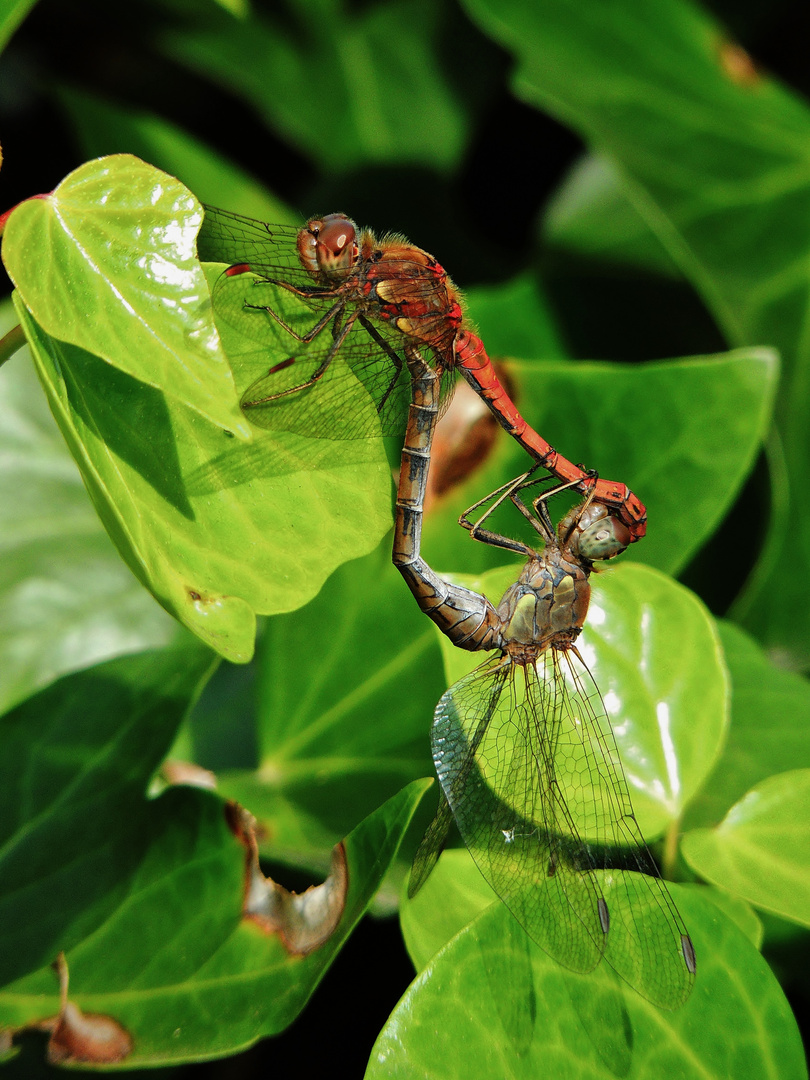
(696,177)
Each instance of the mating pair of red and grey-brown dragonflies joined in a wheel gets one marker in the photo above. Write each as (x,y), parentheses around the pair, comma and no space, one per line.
(529,766)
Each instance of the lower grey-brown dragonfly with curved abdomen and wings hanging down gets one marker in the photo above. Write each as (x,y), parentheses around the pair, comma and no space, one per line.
(523,746)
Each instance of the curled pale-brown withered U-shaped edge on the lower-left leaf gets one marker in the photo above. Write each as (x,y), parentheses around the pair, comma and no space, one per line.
(303,922)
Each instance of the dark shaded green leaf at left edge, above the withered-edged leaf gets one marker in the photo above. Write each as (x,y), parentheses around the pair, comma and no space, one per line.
(76,764)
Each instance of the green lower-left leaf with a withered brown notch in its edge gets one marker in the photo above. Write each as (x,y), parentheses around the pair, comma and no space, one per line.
(177,966)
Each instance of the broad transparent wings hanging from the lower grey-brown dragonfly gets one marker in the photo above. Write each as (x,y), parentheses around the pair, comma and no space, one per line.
(530,767)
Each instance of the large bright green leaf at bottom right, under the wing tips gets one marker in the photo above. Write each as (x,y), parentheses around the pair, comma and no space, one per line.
(474,1012)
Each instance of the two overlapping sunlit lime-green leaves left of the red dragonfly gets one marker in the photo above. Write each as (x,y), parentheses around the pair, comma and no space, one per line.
(185,458)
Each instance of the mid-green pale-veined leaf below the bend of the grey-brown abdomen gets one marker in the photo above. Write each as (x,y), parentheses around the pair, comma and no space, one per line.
(342,723)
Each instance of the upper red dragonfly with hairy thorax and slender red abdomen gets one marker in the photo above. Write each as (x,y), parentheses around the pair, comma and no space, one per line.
(375,298)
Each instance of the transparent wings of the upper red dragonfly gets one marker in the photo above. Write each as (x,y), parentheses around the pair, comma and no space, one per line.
(302,354)
